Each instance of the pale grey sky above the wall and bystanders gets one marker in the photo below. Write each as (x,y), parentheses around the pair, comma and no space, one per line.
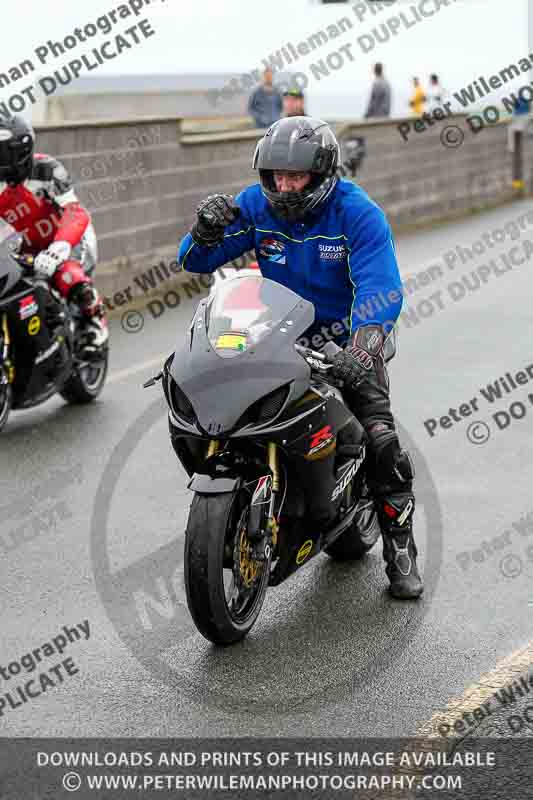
(467,39)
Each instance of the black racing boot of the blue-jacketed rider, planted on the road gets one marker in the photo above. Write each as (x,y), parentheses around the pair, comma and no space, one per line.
(395,512)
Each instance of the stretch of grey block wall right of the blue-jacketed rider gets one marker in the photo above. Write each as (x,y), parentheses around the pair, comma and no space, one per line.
(422,180)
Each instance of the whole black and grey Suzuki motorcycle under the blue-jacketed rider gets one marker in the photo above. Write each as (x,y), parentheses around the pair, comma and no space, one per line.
(276,459)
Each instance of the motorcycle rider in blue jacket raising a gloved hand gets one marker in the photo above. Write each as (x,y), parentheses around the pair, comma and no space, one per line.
(332,246)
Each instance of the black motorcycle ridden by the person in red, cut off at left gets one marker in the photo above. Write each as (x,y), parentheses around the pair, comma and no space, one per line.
(42,348)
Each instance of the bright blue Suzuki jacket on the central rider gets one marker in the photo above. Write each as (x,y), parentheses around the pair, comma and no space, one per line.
(342,259)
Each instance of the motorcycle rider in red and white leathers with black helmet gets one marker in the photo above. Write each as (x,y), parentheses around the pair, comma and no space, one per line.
(37,198)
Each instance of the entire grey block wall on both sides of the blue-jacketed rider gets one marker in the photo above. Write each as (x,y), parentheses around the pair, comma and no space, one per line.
(142,179)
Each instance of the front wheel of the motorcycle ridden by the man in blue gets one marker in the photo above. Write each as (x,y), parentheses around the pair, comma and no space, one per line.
(225,587)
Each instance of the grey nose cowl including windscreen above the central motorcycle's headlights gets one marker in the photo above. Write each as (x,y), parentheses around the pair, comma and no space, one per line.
(241,348)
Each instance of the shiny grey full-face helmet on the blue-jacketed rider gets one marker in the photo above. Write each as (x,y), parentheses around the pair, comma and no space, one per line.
(298,144)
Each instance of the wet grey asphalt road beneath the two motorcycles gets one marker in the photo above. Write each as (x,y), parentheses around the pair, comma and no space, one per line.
(96,533)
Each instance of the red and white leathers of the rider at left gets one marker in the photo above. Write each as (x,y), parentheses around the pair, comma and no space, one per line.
(46,210)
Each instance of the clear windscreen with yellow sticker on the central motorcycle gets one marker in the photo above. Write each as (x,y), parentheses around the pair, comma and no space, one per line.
(244,311)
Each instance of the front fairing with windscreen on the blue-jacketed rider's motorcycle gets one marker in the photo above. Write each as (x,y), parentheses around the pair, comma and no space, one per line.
(223,373)
